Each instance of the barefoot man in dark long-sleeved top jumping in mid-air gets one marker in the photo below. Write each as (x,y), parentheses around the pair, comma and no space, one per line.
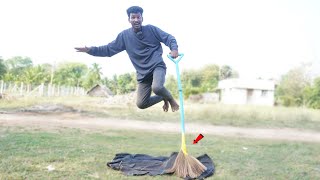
(143,45)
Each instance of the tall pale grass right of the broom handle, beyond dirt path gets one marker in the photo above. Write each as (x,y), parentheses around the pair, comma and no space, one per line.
(255,116)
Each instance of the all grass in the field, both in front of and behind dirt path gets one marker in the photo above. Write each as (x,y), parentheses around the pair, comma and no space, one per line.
(25,153)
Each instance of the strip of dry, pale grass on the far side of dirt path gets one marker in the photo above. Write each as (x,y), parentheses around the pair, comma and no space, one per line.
(216,114)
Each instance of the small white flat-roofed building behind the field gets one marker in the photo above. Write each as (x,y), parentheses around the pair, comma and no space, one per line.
(247,91)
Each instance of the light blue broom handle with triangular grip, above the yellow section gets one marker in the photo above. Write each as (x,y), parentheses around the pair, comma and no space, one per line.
(176,61)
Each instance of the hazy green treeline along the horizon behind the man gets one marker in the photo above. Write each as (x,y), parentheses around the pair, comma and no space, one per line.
(295,88)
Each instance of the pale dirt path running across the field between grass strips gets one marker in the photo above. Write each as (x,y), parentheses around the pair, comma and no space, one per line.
(78,120)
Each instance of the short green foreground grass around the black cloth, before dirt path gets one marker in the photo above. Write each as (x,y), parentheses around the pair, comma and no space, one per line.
(77,154)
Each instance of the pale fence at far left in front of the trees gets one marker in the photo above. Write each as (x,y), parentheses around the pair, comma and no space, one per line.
(43,90)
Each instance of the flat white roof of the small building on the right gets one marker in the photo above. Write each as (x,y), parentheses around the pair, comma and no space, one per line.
(261,84)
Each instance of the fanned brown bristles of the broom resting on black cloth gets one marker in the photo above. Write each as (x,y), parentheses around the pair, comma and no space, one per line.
(186,165)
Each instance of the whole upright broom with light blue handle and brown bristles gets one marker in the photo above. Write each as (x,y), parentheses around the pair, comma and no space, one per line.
(184,165)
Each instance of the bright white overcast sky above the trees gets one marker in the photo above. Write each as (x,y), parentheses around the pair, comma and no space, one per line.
(257,38)
